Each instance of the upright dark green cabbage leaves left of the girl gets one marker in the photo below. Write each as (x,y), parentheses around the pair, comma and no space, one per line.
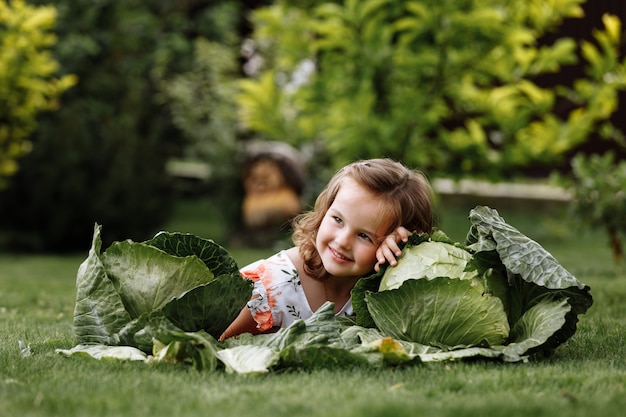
(120,291)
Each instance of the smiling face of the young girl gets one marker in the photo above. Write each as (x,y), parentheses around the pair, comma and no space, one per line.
(351,230)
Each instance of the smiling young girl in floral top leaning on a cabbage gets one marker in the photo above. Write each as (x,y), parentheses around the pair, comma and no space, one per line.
(366,209)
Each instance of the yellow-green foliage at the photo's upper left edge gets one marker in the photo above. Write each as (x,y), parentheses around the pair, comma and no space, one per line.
(29,83)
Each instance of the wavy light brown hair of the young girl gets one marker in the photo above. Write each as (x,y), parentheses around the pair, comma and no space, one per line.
(406,193)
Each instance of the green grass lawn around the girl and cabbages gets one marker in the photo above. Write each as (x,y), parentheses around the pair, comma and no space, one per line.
(586,376)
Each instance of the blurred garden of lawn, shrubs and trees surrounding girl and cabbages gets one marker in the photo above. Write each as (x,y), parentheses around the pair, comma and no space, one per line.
(101,102)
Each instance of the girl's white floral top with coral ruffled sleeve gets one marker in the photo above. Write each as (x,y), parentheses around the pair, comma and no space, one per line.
(278,298)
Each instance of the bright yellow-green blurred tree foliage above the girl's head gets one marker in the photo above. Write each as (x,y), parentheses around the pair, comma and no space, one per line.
(449,86)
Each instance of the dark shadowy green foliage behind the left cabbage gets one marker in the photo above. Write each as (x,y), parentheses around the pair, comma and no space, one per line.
(101,157)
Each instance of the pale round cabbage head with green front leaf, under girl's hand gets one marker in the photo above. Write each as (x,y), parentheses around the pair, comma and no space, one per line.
(431,298)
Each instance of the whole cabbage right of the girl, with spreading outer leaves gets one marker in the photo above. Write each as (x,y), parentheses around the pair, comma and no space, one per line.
(499,294)
